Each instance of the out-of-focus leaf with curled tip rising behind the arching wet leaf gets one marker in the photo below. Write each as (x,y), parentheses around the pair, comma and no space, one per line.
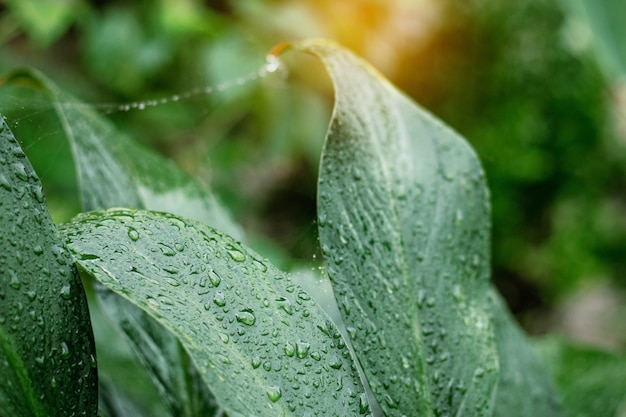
(115,171)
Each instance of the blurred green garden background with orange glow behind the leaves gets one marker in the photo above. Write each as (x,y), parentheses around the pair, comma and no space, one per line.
(526,82)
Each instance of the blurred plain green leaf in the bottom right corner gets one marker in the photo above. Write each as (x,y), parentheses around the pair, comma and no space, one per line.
(592,382)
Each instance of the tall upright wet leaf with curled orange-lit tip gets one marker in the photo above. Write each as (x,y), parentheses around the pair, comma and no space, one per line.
(403,215)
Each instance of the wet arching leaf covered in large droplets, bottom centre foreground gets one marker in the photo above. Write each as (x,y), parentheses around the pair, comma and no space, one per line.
(261,344)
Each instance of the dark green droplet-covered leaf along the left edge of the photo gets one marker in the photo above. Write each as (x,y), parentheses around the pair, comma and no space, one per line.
(47,353)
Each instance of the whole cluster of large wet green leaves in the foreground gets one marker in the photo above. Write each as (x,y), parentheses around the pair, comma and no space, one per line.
(404,227)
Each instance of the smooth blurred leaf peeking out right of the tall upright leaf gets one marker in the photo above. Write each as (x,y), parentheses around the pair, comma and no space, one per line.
(525,387)
